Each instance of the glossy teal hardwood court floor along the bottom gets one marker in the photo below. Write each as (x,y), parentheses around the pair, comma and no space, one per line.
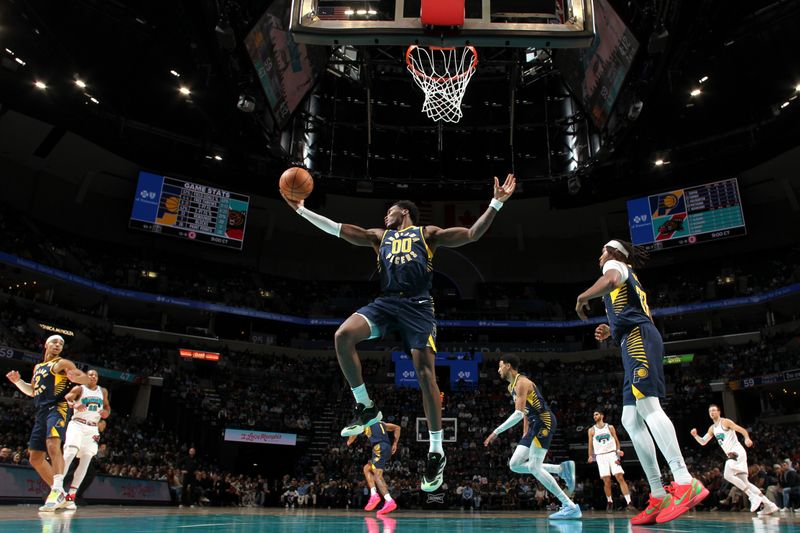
(110,519)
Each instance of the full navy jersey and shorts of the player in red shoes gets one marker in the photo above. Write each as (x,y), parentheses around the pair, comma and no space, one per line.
(640,341)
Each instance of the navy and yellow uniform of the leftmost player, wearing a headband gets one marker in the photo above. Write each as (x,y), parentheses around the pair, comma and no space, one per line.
(49,390)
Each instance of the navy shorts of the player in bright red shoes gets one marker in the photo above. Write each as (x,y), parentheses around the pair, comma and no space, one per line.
(643,364)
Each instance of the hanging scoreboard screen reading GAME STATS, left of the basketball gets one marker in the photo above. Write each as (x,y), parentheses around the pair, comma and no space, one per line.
(189,210)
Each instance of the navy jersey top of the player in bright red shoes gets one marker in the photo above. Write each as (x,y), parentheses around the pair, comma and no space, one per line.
(626,306)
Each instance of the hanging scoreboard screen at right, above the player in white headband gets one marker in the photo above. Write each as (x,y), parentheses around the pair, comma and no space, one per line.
(687,216)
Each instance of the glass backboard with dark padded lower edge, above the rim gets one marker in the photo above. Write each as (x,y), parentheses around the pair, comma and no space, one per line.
(490,23)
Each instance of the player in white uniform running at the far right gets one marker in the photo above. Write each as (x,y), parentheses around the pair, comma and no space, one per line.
(724,431)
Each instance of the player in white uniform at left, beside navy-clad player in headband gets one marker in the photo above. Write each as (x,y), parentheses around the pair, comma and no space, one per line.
(89,404)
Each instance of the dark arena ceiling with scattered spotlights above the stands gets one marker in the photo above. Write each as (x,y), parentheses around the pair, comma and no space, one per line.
(127,53)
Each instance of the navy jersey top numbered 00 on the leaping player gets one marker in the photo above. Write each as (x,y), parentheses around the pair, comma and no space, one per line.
(405,263)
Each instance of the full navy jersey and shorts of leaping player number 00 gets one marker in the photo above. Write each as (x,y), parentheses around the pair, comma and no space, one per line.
(406,269)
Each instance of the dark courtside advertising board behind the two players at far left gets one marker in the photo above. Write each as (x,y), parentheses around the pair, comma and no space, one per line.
(23,483)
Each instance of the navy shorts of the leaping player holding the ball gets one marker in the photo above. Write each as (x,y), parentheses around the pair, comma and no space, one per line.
(412,317)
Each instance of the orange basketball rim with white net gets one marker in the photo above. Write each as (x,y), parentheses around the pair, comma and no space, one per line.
(443,75)
